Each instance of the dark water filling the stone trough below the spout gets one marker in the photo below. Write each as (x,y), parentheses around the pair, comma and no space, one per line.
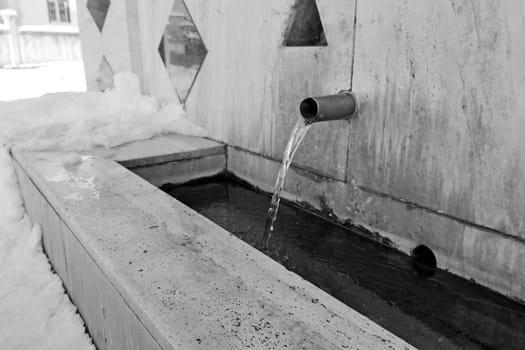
(438,312)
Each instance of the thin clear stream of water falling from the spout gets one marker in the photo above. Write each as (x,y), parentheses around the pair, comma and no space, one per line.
(296,137)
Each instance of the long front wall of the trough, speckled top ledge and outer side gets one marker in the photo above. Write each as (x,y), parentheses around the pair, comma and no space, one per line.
(147,272)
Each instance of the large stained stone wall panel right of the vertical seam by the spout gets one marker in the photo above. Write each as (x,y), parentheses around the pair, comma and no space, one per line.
(446,112)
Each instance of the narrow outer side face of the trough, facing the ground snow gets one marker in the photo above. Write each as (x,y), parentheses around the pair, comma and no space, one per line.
(111,323)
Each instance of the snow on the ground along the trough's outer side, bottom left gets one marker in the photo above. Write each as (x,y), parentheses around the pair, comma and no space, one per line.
(35,313)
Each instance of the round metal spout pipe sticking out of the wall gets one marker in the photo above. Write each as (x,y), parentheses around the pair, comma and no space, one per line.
(344,105)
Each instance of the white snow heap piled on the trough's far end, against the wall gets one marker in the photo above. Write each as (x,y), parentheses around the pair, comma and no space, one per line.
(79,121)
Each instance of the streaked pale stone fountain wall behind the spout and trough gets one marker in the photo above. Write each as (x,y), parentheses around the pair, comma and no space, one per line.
(435,156)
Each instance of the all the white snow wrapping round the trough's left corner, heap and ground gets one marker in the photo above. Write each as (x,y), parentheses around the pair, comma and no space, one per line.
(35,312)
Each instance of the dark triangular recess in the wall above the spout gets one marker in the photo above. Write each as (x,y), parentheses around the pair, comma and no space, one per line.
(305,27)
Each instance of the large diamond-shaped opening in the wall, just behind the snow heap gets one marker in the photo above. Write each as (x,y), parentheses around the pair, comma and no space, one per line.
(182,50)
